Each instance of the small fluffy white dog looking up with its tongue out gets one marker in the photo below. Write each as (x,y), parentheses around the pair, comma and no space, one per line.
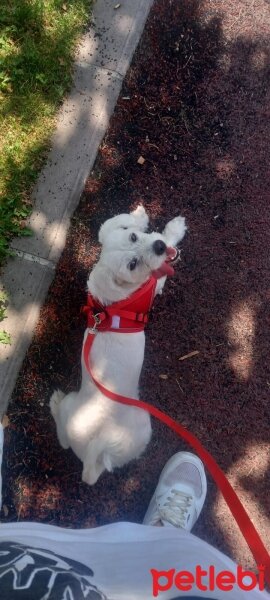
(105,434)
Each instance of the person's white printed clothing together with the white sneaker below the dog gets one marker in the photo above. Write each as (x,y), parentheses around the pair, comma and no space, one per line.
(122,561)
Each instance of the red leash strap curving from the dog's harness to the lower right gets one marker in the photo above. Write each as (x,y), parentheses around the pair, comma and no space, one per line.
(259,551)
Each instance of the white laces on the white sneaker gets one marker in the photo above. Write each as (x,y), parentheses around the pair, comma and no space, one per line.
(176,508)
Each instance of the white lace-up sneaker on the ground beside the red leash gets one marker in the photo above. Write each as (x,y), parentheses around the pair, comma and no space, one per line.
(180,493)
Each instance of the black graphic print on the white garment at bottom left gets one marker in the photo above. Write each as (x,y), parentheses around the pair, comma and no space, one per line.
(37,574)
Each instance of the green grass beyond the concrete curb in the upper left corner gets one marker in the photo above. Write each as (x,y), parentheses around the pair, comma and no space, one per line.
(37,40)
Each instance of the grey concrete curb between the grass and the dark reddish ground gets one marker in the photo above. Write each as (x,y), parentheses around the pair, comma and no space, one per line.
(102,59)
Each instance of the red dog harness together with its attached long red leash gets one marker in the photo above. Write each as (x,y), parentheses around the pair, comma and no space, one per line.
(132,314)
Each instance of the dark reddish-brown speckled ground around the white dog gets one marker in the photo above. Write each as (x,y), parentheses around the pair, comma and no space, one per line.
(196,105)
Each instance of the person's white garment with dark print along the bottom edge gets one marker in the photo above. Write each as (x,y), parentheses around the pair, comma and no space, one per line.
(120,557)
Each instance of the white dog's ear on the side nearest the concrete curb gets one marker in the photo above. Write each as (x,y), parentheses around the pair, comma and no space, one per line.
(138,219)
